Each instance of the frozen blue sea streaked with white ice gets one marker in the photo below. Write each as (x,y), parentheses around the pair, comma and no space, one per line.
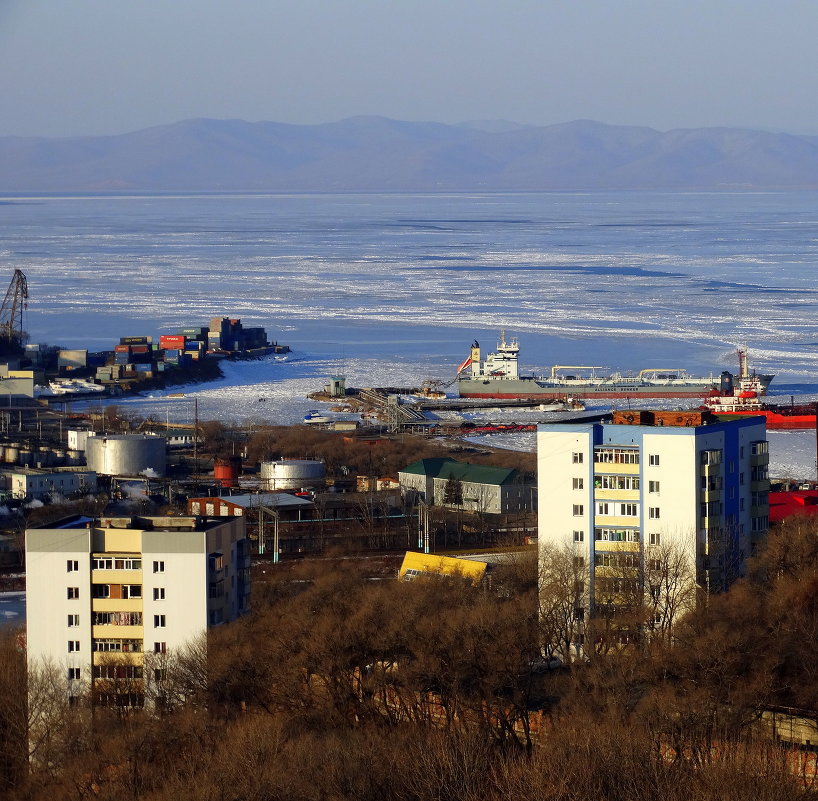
(392,289)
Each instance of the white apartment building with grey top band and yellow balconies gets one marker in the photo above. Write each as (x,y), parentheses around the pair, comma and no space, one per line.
(102,594)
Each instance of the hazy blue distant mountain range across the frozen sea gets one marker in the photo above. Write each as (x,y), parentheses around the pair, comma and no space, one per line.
(365,154)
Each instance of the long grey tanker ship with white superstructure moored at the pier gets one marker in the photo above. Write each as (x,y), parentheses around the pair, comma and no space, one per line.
(498,377)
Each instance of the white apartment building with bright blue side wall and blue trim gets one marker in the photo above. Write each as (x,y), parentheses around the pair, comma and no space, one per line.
(623,495)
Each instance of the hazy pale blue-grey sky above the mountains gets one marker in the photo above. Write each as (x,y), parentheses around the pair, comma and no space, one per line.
(110,66)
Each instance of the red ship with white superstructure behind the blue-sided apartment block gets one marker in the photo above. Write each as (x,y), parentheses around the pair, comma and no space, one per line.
(741,398)
